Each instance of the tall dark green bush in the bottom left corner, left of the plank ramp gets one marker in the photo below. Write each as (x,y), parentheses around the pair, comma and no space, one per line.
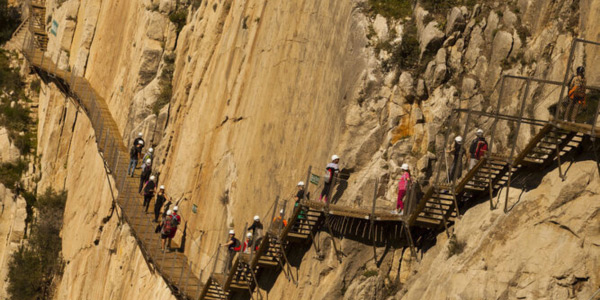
(33,268)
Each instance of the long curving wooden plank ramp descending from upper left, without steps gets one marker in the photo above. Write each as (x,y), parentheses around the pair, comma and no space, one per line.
(172,266)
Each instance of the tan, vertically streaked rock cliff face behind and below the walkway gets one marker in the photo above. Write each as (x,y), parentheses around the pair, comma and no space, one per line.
(263,89)
